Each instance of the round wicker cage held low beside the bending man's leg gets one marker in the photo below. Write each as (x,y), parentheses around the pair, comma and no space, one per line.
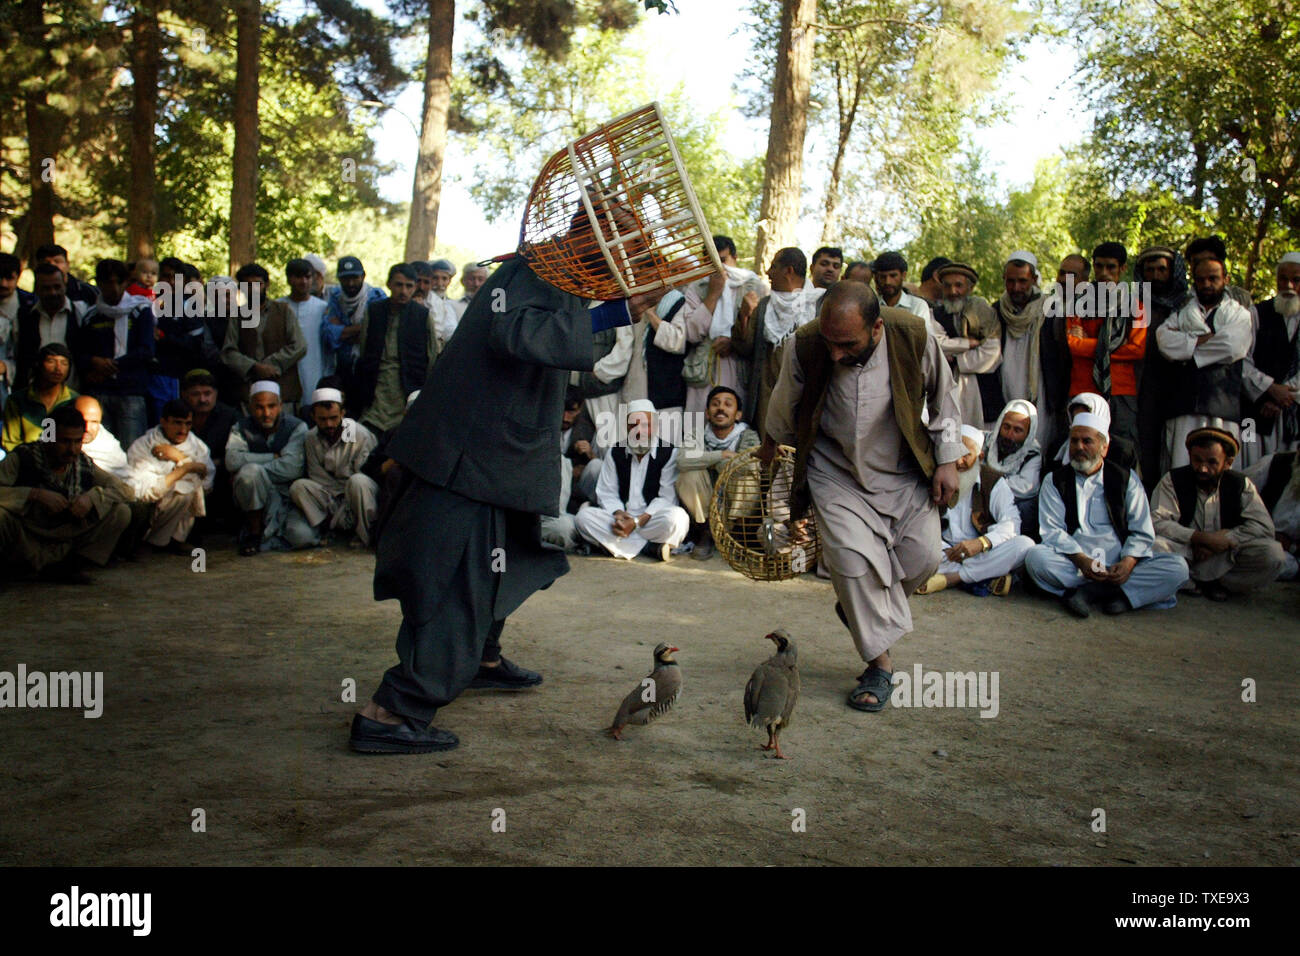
(751,520)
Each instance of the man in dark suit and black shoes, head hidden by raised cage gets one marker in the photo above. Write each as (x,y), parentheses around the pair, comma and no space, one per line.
(478,451)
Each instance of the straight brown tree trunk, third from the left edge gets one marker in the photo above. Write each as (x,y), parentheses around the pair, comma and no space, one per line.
(244,185)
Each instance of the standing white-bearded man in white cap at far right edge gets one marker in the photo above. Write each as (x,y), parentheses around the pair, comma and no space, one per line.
(1272,371)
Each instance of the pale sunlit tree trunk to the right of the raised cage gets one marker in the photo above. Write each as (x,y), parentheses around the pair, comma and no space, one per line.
(783,172)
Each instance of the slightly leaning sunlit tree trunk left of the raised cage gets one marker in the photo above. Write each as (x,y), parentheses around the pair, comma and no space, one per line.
(427,191)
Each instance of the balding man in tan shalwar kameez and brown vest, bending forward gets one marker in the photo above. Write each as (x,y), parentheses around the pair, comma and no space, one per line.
(850,399)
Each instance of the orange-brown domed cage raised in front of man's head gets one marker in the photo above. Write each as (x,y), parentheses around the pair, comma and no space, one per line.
(614,214)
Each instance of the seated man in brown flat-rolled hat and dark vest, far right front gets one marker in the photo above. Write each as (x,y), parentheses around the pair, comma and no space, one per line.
(1214,517)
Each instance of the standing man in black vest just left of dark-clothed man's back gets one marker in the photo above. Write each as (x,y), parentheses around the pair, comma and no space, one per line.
(398,347)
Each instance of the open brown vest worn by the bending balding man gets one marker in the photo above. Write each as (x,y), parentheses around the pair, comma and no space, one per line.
(907,338)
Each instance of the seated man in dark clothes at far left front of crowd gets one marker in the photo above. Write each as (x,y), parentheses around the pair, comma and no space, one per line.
(58,511)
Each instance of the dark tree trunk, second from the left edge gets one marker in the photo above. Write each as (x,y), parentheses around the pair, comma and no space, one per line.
(145,110)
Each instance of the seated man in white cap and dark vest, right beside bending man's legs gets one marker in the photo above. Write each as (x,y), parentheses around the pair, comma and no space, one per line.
(982,530)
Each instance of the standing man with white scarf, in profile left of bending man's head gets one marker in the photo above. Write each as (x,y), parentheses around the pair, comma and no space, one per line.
(760,338)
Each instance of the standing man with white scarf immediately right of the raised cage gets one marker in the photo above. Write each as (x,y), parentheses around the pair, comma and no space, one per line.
(725,301)
